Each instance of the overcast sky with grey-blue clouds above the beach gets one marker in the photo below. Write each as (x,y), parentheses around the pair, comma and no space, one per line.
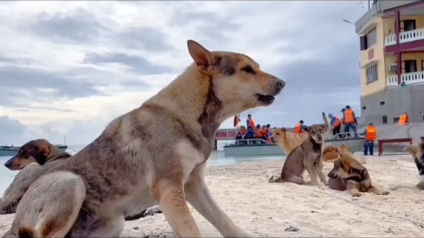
(69,68)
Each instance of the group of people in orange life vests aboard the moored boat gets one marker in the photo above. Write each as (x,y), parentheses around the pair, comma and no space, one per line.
(254,131)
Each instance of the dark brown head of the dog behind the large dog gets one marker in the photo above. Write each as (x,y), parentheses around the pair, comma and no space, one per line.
(39,151)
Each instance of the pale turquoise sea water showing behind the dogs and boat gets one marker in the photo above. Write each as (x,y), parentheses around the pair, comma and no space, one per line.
(217,158)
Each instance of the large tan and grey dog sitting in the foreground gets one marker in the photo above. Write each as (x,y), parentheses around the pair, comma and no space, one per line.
(155,154)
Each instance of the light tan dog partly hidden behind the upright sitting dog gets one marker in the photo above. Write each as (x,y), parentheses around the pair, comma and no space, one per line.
(287,140)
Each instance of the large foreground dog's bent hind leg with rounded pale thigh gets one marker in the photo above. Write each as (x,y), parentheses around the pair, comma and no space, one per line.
(50,206)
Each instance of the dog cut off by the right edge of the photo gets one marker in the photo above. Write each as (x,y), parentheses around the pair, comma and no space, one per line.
(417,152)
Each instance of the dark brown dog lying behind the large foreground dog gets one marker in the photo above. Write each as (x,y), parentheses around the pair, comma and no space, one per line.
(34,159)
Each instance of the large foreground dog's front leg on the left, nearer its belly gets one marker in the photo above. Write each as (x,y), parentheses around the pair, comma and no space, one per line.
(170,195)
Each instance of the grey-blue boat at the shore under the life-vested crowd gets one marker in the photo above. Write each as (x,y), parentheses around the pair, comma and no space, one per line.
(252,147)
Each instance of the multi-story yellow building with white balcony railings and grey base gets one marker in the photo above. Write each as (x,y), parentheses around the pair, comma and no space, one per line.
(392,61)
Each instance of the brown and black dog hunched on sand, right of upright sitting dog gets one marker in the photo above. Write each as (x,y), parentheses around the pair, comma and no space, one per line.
(348,174)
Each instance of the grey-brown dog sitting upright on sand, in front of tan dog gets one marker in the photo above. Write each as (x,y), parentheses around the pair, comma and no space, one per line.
(307,156)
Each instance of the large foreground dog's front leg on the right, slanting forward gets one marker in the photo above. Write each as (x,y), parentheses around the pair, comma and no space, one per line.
(200,198)
